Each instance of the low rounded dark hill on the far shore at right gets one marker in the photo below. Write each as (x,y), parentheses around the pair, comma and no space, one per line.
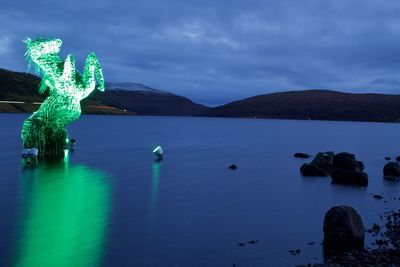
(315,105)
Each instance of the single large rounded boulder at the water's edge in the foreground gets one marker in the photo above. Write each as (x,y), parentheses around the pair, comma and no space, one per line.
(343,229)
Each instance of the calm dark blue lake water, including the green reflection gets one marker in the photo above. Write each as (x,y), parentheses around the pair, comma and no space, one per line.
(109,204)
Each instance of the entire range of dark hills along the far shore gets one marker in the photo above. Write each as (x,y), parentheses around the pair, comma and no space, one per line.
(136,98)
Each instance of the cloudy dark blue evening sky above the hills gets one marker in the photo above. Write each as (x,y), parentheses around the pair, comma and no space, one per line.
(213,51)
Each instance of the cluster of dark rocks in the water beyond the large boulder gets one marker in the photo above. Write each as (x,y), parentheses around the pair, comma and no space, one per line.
(343,168)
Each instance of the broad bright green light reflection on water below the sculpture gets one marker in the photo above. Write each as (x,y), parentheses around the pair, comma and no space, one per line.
(64,216)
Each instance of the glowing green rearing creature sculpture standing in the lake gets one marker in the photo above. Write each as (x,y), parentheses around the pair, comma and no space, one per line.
(45,128)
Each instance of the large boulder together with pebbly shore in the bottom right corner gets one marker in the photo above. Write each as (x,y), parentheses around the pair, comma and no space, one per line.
(344,240)
